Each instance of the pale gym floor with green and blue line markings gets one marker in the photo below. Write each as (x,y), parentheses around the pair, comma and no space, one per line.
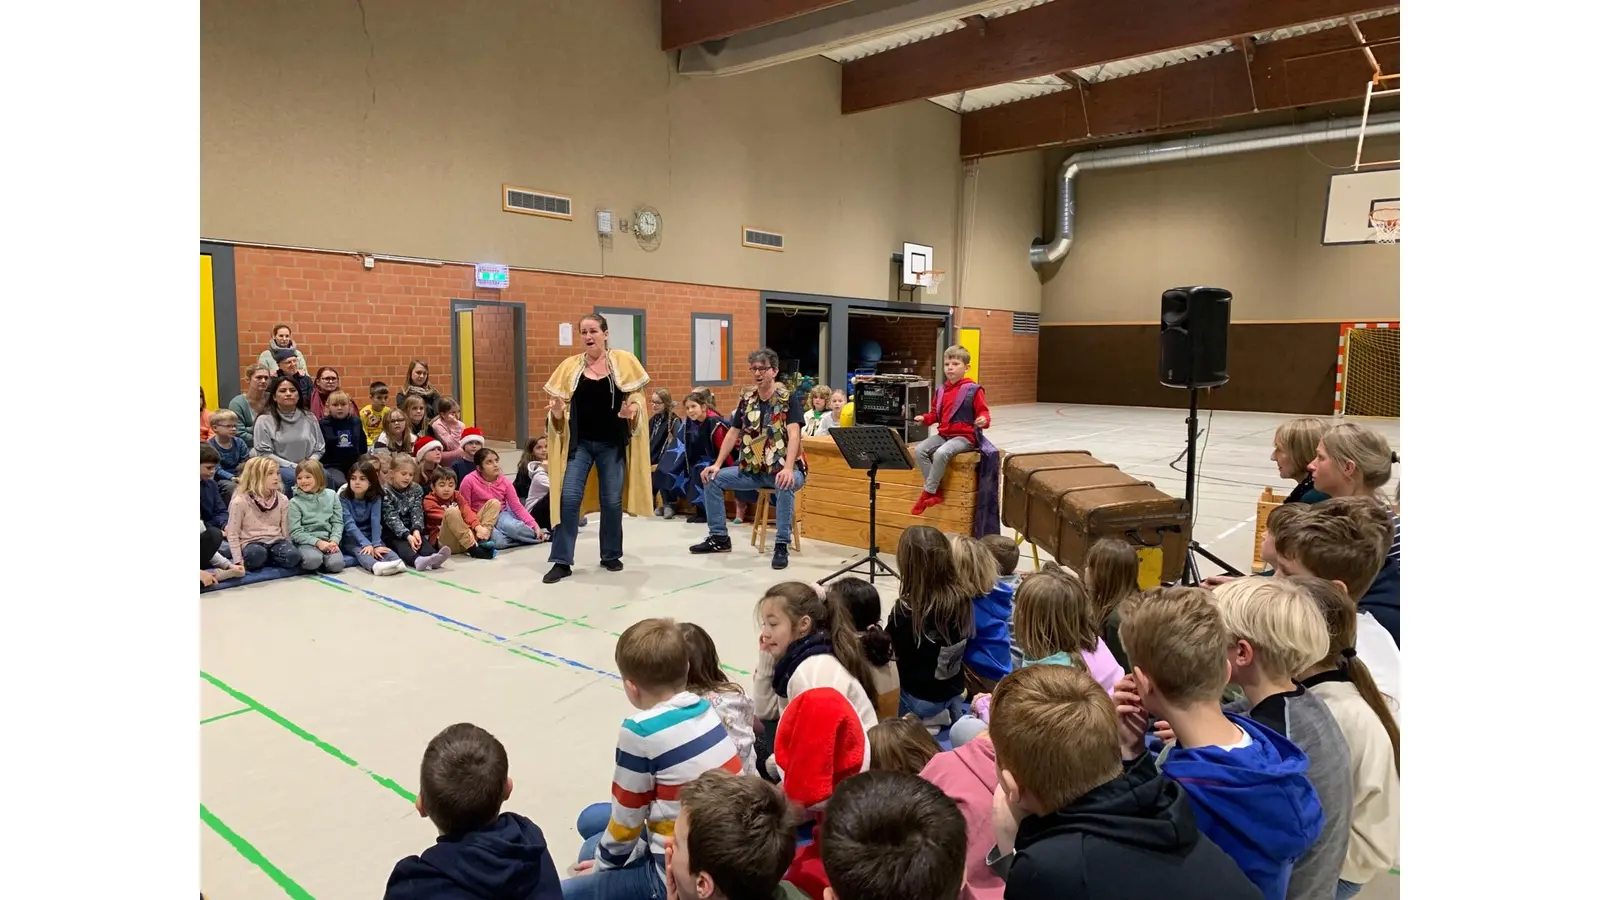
(319,694)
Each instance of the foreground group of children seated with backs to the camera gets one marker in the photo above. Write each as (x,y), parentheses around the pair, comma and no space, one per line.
(1111,742)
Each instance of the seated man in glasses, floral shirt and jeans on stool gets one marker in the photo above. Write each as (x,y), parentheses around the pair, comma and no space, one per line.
(764,433)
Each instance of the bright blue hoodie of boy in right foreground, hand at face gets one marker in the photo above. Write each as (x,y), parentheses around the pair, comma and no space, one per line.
(1255,803)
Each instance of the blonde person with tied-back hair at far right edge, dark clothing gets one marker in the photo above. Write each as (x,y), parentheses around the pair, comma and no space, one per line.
(1354,460)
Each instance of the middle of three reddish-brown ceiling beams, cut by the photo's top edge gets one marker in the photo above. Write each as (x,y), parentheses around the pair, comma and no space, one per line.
(1065,36)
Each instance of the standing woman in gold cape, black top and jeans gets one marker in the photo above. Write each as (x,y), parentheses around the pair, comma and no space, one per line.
(594,427)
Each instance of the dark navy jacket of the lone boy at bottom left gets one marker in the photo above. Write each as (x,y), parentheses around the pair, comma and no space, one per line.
(505,861)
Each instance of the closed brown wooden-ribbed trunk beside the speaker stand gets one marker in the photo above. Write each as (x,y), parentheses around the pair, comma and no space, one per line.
(1066,500)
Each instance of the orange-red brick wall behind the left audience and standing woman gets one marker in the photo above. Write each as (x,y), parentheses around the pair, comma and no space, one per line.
(370,323)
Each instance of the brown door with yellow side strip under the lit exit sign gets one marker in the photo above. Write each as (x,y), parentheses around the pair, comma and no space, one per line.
(489,352)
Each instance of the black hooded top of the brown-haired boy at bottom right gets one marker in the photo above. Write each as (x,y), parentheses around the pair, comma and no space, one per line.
(1132,838)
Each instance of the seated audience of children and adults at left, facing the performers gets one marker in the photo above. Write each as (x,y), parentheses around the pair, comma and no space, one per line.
(383,488)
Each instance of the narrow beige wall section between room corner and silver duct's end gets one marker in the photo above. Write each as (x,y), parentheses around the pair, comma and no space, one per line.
(1010,201)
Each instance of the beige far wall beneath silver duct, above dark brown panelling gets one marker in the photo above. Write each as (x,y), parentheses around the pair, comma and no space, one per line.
(1250,223)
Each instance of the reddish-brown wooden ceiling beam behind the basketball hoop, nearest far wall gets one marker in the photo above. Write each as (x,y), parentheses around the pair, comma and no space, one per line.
(1313,70)
